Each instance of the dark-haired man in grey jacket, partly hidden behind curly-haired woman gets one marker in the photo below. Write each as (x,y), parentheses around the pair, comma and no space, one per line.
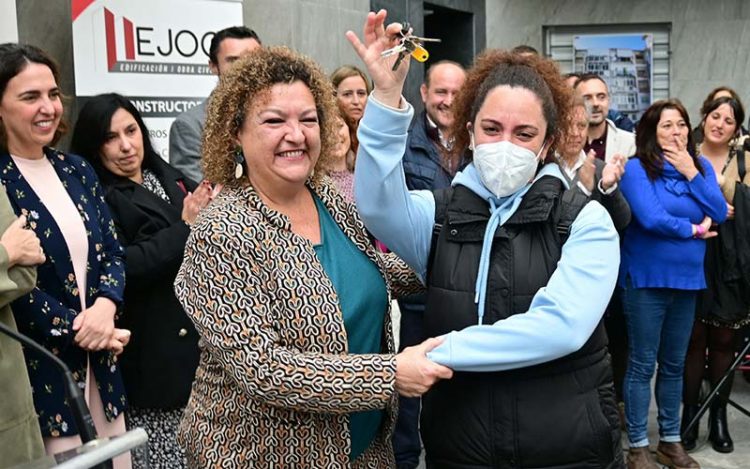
(186,132)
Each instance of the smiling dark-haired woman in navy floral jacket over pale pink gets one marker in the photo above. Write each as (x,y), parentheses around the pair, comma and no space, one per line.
(72,308)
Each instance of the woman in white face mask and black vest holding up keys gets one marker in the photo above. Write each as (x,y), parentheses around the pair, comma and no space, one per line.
(532,387)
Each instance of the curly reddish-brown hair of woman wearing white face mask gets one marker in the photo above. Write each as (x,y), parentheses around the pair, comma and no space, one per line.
(495,68)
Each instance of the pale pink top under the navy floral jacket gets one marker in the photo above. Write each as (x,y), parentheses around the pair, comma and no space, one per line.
(43,179)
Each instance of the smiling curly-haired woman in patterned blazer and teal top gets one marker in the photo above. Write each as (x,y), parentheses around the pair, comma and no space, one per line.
(289,297)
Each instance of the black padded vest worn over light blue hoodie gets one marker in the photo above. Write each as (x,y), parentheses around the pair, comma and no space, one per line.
(560,414)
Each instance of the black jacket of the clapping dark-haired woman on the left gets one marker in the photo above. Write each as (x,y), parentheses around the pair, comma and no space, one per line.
(159,363)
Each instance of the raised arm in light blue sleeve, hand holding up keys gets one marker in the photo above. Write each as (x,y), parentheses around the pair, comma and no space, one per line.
(400,219)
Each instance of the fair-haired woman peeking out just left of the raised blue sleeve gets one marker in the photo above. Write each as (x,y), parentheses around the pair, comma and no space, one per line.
(351,87)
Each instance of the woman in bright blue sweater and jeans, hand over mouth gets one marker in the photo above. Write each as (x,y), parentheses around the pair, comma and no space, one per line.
(674,197)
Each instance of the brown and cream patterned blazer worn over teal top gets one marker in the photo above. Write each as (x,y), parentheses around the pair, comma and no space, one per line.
(275,384)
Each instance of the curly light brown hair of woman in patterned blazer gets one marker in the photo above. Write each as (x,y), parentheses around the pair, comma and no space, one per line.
(249,80)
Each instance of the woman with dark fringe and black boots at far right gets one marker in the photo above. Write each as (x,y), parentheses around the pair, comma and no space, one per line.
(723,308)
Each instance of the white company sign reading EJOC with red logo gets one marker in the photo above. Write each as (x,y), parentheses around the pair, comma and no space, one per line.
(155,52)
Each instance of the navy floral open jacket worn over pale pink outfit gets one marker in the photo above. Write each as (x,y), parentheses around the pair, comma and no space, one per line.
(46,314)
